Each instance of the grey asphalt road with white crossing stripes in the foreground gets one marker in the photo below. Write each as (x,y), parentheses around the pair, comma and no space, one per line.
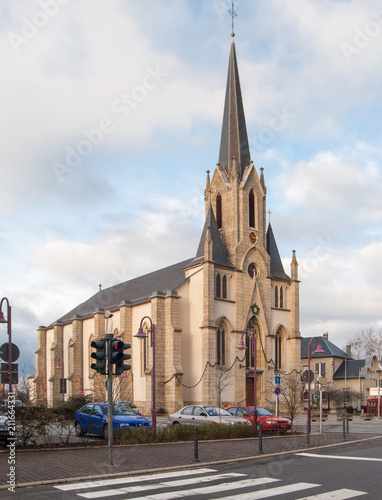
(351,471)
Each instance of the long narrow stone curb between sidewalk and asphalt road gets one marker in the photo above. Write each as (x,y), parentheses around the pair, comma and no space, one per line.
(195,465)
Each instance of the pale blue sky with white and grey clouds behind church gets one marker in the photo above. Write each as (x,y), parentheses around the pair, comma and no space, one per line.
(111,115)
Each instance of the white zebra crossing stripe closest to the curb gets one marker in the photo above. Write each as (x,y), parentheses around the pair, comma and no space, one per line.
(131,479)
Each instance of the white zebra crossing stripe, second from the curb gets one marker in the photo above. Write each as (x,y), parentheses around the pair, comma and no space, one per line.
(156,486)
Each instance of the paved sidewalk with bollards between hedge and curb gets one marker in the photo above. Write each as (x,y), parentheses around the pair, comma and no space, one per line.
(39,466)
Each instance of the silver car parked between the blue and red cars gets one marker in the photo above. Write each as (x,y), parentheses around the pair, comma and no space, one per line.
(197,415)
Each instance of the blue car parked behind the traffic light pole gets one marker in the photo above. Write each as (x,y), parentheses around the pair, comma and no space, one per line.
(92,419)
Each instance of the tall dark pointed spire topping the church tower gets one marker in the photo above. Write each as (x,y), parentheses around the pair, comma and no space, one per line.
(234,138)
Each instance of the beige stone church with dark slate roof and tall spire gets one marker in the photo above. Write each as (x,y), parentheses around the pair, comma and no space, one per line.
(232,290)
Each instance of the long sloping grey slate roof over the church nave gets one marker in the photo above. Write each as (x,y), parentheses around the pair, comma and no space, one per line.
(136,290)
